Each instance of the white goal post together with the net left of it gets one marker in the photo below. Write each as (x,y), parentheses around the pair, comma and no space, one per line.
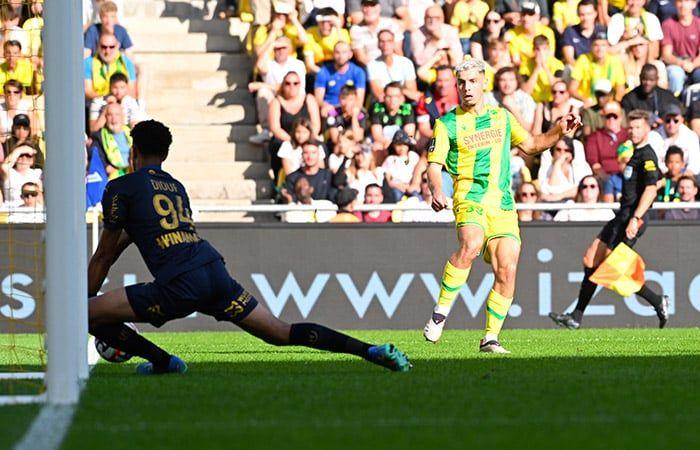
(42,179)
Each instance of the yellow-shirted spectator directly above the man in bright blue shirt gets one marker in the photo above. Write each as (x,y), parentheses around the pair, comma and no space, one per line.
(322,39)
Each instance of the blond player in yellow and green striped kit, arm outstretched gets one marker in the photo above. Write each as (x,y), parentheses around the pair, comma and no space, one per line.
(473,142)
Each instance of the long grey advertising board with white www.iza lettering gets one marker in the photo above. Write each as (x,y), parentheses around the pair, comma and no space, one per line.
(373,276)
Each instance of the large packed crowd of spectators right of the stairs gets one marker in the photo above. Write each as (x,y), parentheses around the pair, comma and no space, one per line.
(347,94)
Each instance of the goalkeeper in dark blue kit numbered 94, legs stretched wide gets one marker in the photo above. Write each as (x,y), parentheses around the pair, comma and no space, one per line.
(151,209)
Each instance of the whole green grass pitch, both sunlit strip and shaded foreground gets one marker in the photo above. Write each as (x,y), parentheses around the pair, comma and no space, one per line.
(597,389)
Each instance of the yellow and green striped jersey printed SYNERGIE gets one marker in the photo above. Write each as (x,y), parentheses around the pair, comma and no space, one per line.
(475,150)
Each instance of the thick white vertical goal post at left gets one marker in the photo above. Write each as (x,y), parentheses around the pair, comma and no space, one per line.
(66,243)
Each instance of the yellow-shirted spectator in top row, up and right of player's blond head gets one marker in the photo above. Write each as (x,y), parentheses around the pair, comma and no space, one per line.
(520,39)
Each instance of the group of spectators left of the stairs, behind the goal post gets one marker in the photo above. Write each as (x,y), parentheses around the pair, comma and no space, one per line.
(112,103)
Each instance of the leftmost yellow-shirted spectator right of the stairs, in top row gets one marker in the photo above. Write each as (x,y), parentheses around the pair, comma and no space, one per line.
(285,22)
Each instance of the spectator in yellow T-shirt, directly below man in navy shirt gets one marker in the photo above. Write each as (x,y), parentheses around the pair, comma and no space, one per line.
(594,66)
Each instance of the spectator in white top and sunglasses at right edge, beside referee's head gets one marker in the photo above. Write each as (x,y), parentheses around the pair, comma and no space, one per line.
(675,132)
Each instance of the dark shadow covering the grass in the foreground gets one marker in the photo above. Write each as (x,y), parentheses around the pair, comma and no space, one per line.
(330,402)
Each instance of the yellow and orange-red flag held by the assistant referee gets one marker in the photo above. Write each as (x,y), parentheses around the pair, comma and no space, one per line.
(622,271)
